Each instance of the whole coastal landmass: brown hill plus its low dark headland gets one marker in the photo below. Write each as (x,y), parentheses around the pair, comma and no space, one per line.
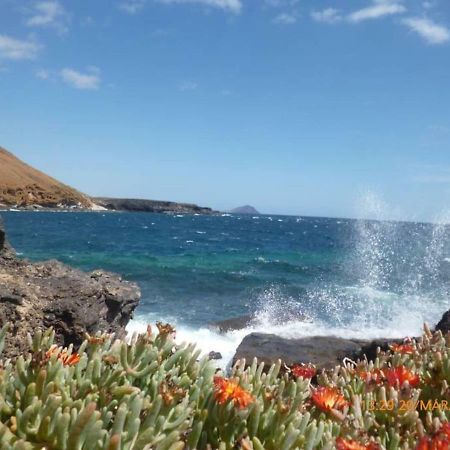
(24,187)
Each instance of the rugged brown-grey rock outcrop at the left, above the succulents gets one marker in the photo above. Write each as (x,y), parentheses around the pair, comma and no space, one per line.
(52,294)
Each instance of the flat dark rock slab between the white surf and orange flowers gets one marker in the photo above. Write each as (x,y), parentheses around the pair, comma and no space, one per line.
(323,351)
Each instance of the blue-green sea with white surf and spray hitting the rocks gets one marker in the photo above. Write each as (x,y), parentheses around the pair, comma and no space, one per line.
(351,278)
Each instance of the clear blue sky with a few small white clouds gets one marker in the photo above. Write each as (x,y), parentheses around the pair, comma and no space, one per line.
(304,107)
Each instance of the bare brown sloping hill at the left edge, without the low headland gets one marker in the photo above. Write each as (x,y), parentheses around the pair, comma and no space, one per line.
(22,185)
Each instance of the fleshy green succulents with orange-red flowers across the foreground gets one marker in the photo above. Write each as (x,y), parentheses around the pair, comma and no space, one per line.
(152,394)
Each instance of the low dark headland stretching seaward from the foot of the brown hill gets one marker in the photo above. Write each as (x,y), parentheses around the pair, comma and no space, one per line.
(154,206)
